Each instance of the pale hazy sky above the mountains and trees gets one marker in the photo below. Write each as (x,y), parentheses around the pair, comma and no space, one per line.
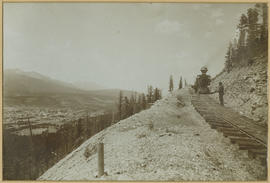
(119,45)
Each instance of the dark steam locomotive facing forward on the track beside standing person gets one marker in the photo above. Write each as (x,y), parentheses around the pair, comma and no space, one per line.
(202,82)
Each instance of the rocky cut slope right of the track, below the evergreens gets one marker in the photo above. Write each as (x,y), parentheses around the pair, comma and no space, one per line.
(246,90)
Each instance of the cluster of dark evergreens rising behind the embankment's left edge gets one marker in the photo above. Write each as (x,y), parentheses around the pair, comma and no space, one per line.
(137,102)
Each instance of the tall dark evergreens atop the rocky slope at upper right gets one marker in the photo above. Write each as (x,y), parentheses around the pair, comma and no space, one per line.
(252,38)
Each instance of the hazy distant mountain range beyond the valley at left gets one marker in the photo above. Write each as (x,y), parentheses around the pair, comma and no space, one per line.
(33,89)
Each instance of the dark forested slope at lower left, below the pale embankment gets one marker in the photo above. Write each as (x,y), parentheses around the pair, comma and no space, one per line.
(23,160)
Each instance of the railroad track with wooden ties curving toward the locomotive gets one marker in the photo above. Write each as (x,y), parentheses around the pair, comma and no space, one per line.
(240,130)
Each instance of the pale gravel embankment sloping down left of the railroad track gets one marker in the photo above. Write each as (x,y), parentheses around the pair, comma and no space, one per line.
(169,142)
